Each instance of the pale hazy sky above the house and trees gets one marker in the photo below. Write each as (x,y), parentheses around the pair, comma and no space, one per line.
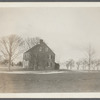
(67,31)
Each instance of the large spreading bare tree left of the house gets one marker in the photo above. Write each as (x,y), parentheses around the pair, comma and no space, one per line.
(10,47)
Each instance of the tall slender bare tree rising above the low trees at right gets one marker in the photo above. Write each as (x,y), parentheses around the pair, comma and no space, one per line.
(90,52)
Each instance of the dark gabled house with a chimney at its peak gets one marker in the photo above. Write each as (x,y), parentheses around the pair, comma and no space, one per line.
(39,57)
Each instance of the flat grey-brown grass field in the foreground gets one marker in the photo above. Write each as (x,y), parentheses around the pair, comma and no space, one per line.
(61,82)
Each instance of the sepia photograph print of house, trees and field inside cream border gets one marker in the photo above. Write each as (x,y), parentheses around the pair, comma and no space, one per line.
(49,49)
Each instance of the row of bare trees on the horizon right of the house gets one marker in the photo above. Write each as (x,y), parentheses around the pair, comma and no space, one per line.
(89,62)
